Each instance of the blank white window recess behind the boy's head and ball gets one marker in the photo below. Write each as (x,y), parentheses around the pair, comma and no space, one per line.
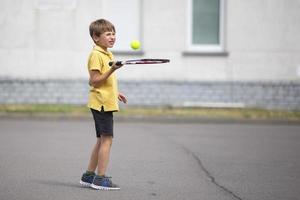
(127,22)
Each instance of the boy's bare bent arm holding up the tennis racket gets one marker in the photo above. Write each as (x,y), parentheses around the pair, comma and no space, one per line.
(96,78)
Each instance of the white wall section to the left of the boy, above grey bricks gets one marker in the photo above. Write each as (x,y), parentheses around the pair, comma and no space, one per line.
(45,43)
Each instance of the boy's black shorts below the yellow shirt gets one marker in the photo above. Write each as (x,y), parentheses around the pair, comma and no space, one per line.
(103,123)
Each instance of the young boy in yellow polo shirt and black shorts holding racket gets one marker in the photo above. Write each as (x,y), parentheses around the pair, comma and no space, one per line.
(103,101)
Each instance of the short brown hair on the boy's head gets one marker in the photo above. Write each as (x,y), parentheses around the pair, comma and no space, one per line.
(100,26)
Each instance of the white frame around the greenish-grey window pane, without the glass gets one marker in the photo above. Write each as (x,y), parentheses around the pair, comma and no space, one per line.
(204,48)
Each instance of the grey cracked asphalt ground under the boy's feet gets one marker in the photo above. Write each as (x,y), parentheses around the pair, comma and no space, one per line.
(44,159)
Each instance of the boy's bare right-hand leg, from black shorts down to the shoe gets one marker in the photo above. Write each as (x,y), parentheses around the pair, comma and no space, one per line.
(103,154)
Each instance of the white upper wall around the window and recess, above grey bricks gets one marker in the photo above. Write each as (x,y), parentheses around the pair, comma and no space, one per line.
(262,41)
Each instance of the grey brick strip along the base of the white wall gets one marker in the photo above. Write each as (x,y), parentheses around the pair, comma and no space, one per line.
(270,95)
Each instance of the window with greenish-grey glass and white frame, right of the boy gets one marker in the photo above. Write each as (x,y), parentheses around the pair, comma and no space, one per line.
(206,26)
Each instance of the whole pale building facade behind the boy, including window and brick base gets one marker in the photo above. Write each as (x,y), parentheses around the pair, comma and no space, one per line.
(214,43)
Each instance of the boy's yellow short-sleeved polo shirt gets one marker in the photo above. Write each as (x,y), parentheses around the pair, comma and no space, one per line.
(105,95)
